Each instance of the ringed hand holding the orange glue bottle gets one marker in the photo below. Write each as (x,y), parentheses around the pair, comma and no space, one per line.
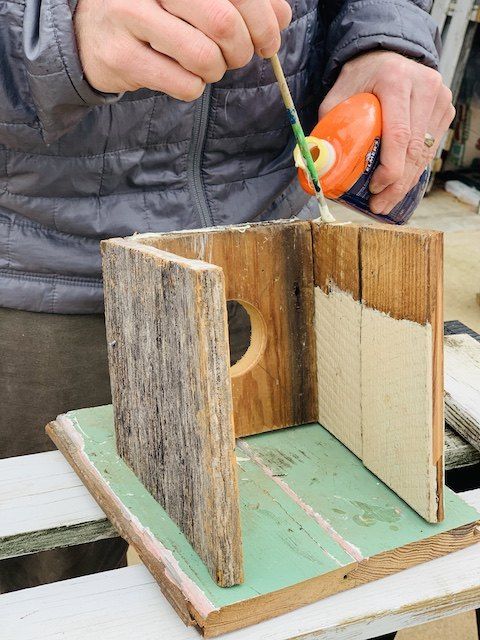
(414,102)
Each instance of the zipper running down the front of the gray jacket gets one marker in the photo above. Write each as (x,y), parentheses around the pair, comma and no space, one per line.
(195,157)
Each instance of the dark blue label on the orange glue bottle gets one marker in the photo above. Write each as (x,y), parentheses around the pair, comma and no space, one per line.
(358,196)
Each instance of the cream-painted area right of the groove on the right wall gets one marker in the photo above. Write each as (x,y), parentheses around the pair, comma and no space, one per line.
(397,408)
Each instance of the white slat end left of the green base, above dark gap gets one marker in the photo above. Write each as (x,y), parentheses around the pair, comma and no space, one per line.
(43,505)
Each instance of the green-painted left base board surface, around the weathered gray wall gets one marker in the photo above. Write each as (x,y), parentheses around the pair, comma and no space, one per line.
(282,545)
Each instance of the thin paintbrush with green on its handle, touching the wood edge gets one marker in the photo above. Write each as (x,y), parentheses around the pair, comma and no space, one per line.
(325,214)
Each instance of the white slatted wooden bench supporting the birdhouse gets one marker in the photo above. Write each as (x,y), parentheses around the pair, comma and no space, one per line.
(43,505)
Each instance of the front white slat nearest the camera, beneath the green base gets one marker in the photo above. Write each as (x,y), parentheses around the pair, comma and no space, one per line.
(127,603)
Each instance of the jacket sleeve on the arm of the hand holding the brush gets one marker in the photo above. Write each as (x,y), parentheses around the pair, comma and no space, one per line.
(59,91)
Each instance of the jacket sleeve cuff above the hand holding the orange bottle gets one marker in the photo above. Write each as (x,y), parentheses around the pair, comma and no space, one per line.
(403,26)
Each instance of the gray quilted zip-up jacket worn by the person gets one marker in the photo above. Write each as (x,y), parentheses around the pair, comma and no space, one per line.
(77,166)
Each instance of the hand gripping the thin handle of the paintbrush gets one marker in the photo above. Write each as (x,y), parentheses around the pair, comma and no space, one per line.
(173,46)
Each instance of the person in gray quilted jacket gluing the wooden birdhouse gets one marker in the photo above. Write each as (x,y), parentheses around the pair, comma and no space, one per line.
(119,117)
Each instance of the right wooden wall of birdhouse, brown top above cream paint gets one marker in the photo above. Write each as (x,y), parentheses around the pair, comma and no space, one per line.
(379,353)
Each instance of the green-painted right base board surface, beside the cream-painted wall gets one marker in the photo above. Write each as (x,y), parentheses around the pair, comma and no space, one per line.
(353,500)
